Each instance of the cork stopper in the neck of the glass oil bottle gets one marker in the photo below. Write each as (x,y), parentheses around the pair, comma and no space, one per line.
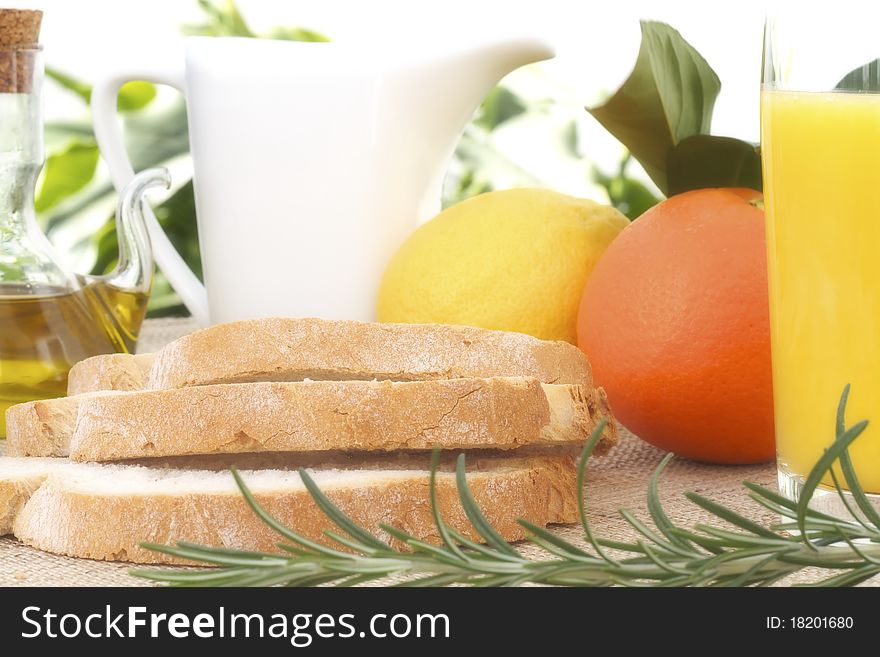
(19,41)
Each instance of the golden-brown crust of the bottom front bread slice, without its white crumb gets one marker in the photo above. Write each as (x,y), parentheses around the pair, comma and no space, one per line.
(62,519)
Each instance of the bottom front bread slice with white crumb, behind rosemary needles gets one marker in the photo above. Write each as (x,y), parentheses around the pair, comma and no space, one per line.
(106,511)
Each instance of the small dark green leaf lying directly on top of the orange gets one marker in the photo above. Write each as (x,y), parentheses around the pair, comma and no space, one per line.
(703,161)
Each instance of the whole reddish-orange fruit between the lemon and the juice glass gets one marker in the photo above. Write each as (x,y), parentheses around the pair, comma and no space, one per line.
(675,321)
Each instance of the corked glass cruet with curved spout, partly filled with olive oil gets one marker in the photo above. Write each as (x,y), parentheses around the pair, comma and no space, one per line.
(50,318)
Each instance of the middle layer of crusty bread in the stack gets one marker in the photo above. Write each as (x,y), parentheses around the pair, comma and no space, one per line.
(499,413)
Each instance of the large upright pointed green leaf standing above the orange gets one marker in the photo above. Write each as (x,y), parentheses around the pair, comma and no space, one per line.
(668,97)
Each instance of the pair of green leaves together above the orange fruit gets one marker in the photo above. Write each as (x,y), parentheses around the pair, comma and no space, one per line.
(663,113)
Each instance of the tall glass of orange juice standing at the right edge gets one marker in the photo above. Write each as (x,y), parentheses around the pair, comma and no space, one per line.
(820,142)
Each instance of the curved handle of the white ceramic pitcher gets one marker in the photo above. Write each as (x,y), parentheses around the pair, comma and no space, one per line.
(110,142)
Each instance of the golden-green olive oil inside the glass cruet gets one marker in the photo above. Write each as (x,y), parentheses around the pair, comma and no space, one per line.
(43,335)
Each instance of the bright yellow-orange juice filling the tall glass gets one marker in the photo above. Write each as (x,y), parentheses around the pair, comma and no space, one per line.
(821,155)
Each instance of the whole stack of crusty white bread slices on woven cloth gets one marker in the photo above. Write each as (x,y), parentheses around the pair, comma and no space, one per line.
(141,449)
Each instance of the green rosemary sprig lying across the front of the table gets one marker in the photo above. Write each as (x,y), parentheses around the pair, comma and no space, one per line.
(666,554)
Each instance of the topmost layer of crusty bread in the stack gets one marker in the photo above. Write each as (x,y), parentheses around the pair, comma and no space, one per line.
(279,349)
